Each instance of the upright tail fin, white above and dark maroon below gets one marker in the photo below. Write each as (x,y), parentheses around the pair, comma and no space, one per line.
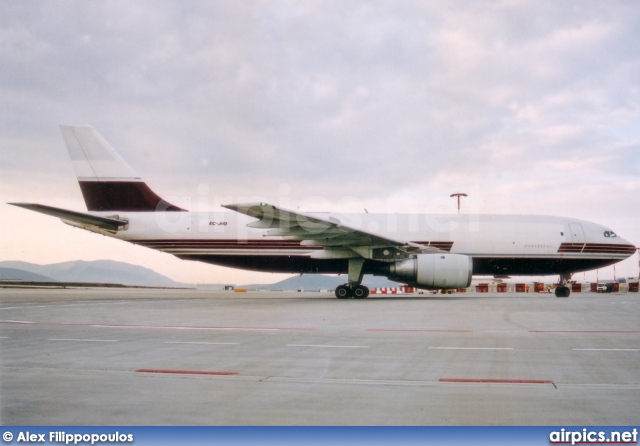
(107,182)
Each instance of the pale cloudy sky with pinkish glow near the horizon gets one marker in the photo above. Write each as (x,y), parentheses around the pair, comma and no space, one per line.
(530,107)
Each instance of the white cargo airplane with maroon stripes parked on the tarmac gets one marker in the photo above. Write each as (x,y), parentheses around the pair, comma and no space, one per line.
(434,252)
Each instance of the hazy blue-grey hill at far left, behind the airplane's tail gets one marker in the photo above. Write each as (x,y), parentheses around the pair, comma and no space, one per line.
(98,271)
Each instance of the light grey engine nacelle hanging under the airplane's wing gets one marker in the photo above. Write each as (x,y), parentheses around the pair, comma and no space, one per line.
(434,271)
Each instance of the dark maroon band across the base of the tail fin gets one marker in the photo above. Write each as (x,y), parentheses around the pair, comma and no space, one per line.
(134,196)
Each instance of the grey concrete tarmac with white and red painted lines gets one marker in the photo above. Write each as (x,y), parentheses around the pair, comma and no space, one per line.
(186,357)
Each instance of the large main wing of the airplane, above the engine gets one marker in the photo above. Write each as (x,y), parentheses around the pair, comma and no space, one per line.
(339,240)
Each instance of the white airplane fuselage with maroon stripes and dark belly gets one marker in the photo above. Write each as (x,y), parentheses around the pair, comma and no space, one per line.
(497,244)
